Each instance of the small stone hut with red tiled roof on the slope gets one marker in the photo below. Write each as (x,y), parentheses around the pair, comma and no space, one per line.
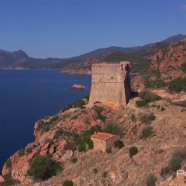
(103,141)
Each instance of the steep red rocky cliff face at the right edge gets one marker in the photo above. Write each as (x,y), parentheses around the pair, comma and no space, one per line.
(171,63)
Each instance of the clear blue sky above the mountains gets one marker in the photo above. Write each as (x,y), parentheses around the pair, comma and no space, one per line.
(67,28)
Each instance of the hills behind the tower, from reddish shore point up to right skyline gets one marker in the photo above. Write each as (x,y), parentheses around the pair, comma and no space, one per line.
(140,57)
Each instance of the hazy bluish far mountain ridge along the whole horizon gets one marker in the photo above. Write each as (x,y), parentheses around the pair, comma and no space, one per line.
(19,59)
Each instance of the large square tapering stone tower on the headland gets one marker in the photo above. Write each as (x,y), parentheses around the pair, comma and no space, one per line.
(110,82)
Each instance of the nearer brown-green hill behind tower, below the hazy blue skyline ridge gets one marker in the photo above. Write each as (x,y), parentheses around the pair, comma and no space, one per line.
(140,59)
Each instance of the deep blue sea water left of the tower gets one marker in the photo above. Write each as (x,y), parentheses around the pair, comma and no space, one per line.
(29,95)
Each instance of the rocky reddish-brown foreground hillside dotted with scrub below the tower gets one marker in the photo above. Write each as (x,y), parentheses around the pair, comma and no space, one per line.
(157,134)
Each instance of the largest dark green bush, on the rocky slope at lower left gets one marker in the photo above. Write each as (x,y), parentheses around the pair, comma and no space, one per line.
(42,167)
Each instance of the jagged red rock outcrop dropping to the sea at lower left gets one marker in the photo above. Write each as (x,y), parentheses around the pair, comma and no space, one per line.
(50,139)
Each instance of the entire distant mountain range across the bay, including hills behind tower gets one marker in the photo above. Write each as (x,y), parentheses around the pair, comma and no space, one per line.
(138,55)
